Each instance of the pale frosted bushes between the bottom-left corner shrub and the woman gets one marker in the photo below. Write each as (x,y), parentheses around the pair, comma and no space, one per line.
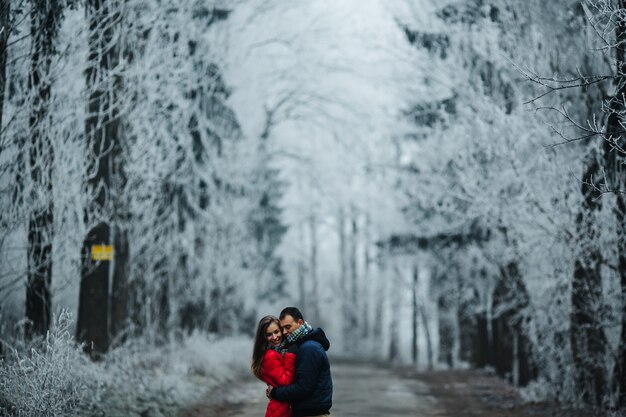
(144,379)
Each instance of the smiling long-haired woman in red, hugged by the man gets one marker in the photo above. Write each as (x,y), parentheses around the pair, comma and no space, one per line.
(271,362)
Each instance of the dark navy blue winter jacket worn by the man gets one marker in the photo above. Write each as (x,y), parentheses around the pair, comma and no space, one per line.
(312,392)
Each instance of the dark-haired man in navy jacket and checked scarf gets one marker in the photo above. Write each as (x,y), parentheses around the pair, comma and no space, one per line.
(312,391)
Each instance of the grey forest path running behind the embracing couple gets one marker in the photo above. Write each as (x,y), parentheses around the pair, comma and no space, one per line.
(368,390)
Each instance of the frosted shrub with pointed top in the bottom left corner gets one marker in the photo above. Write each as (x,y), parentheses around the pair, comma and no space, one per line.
(53,379)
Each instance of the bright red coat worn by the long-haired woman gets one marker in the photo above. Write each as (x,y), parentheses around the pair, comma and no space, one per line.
(278,370)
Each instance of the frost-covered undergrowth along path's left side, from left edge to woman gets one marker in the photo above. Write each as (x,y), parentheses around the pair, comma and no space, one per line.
(53,377)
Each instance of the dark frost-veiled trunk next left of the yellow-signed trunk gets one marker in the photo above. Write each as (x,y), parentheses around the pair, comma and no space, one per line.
(45,18)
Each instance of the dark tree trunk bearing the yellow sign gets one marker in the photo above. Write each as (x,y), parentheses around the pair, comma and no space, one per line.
(103,138)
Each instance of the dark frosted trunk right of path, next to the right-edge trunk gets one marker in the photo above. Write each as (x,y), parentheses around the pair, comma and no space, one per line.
(586,333)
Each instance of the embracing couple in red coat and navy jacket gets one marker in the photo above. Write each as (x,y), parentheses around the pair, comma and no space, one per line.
(290,356)
